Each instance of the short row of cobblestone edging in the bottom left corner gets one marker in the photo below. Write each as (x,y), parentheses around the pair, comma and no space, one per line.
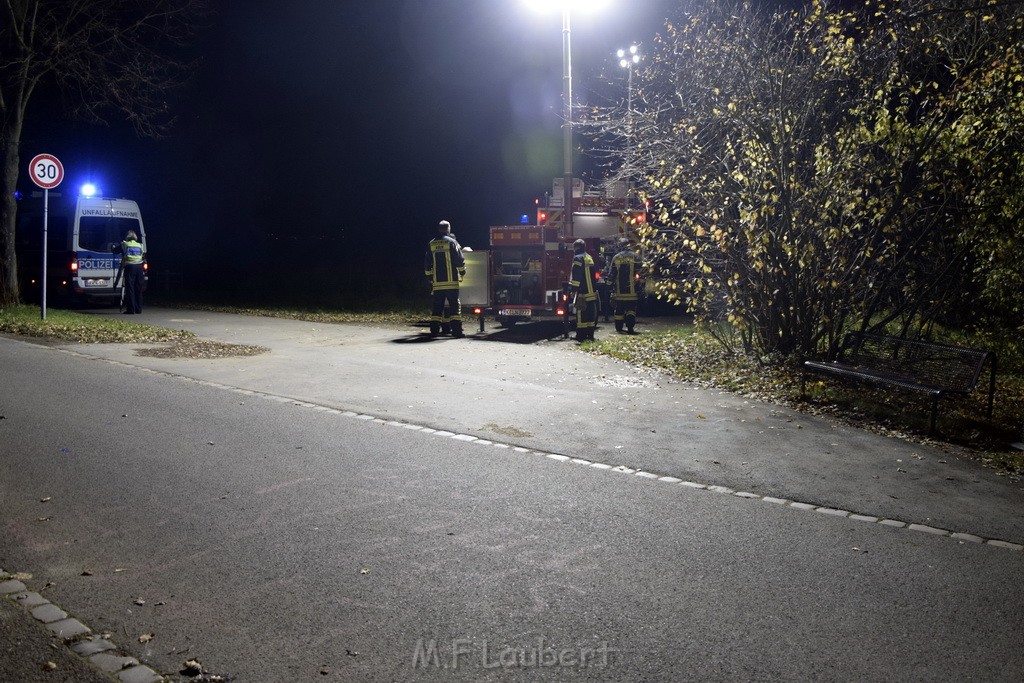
(77,636)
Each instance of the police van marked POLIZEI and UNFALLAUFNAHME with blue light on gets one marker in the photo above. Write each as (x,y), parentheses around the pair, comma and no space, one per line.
(84,237)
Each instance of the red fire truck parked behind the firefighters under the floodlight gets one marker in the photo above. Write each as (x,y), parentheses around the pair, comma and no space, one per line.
(525,274)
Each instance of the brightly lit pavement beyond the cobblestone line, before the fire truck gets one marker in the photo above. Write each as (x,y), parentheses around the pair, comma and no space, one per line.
(543,394)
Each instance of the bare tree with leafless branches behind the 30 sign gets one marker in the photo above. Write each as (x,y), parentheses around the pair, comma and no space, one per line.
(108,58)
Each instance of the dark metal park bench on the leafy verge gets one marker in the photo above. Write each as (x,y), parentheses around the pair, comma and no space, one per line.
(906,364)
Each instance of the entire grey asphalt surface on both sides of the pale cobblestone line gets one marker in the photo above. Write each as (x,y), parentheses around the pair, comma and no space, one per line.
(298,517)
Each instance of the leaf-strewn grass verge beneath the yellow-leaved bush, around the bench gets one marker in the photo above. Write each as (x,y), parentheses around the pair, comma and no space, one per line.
(689,355)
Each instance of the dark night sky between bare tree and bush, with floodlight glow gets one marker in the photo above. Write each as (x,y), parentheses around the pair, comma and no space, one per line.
(314,129)
